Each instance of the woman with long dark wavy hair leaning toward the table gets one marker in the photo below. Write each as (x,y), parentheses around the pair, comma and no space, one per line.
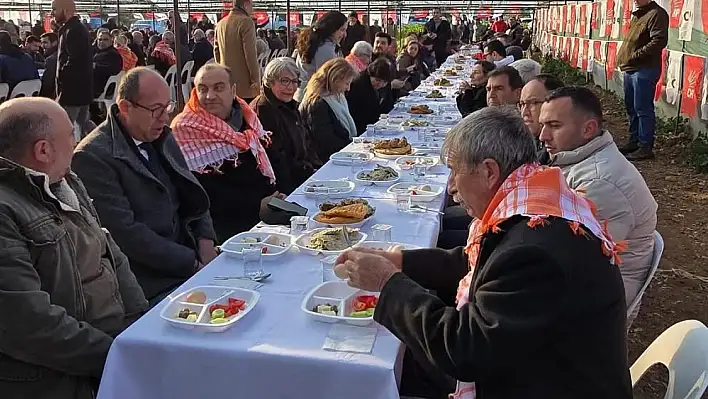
(318,44)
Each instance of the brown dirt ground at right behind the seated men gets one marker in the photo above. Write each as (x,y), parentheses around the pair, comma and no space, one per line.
(678,292)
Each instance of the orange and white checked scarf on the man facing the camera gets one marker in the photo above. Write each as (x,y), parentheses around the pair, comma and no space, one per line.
(207,141)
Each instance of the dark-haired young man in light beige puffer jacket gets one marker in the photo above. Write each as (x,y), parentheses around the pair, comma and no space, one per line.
(591,162)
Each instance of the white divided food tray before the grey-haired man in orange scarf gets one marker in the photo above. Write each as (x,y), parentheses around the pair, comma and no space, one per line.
(337,302)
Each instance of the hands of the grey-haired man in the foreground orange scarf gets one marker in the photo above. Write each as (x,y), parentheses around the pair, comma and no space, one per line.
(365,270)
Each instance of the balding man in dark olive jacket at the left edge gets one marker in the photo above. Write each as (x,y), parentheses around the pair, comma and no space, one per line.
(66,289)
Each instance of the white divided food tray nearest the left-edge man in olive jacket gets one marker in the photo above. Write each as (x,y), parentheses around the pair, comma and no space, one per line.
(209,308)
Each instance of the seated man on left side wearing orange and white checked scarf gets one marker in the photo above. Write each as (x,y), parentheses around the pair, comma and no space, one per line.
(223,142)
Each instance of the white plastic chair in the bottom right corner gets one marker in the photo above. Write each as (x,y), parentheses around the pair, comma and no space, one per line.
(683,349)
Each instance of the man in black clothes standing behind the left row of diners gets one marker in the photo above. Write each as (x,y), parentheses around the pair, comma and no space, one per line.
(74,64)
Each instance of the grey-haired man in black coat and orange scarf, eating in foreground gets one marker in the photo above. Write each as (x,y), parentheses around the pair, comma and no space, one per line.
(532,307)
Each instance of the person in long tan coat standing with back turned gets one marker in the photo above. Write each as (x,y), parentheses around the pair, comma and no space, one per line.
(235,47)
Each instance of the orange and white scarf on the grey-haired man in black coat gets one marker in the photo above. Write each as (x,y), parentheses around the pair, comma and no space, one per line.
(537,192)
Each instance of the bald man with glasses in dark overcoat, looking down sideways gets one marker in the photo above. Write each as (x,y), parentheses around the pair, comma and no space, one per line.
(142,189)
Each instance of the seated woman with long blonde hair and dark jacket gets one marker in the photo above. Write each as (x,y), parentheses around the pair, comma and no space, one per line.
(325,109)
